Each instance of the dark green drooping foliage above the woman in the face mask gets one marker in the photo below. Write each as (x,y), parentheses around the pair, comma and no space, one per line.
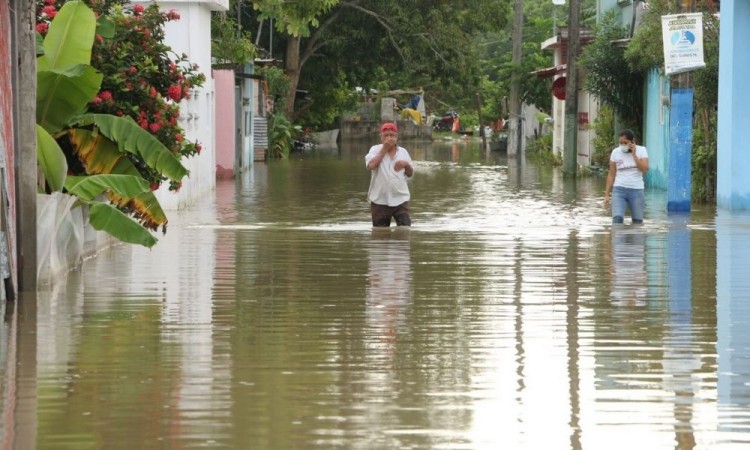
(609,76)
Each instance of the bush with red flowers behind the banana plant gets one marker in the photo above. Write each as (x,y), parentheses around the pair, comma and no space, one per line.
(142,77)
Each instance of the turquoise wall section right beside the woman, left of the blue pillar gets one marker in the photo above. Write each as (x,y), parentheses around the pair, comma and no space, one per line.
(656,129)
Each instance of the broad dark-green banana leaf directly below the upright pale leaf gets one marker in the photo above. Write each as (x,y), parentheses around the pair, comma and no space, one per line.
(63,93)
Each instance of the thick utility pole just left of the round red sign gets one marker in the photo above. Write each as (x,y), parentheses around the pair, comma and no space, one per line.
(570,153)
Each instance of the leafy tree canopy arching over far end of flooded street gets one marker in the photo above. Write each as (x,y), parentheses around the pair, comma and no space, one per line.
(453,50)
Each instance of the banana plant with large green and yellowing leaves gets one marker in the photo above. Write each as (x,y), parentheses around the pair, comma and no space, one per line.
(66,83)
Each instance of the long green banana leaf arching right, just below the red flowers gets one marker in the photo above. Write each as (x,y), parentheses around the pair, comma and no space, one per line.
(133,139)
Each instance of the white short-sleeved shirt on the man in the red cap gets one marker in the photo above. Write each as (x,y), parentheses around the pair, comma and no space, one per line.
(387,186)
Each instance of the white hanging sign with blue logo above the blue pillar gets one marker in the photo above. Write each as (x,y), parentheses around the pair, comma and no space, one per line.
(683,42)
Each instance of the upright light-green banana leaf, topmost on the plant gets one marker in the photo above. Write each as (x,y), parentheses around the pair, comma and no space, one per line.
(70,38)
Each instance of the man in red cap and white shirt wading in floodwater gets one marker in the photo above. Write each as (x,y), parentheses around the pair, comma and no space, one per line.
(391,167)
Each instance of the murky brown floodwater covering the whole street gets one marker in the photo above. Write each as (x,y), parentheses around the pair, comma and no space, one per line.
(512,315)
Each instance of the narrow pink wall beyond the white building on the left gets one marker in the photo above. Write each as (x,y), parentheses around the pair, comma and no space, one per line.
(225,126)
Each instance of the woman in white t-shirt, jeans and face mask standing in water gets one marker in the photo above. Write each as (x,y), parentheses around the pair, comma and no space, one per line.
(627,165)
